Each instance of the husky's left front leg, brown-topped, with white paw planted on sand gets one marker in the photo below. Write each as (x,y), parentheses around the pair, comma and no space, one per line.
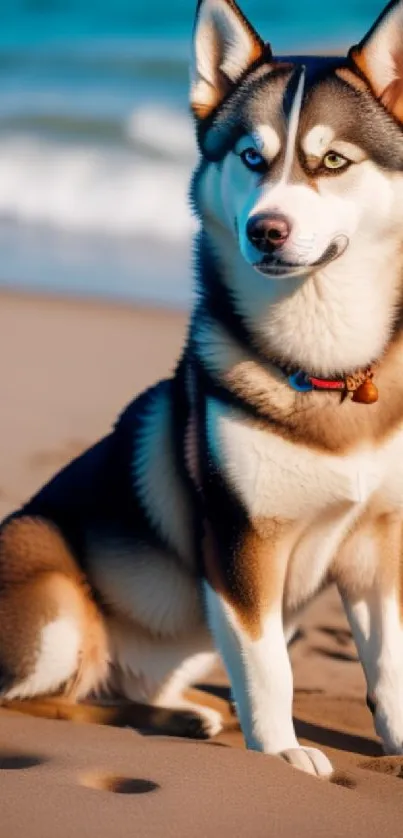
(250,636)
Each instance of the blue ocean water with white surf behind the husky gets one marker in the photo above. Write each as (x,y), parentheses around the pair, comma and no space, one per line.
(96,144)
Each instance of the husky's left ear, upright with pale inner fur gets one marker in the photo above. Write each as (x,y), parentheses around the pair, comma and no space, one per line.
(224,46)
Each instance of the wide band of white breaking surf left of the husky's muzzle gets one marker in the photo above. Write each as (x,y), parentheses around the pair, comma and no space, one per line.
(80,188)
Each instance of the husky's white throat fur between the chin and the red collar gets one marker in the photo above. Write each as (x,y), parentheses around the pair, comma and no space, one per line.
(330,324)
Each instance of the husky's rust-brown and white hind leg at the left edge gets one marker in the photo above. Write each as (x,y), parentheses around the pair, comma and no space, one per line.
(51,634)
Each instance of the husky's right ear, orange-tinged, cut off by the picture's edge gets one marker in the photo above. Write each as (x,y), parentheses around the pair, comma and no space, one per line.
(379,56)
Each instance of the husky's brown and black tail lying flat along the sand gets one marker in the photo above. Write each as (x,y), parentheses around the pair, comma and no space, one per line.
(159,720)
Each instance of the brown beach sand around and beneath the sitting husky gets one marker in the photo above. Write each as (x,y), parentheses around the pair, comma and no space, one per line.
(66,370)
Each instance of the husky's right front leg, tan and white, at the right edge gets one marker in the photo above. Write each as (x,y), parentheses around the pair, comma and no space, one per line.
(370,586)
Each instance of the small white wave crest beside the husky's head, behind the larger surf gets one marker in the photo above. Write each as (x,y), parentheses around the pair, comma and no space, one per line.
(163,129)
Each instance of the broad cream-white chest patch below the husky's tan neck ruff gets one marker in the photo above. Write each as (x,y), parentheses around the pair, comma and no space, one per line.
(276,478)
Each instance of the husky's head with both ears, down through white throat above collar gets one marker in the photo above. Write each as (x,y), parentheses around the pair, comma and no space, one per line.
(300,188)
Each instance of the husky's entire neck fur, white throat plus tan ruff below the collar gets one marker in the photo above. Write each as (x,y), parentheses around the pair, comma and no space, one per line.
(233,329)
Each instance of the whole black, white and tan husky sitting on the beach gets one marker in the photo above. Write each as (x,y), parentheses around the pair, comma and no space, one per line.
(271,462)
